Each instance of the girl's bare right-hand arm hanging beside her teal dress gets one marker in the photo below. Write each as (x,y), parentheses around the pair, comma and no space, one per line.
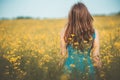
(95,53)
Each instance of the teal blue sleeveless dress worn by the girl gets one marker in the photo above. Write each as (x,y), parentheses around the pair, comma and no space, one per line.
(79,64)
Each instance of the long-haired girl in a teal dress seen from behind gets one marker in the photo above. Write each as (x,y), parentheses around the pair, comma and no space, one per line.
(80,44)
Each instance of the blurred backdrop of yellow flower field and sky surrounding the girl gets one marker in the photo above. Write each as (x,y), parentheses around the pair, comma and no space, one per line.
(30,38)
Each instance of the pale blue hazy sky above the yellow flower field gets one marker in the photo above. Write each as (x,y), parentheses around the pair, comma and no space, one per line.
(55,8)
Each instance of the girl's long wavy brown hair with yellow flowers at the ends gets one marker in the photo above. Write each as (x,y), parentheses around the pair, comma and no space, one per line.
(79,27)
